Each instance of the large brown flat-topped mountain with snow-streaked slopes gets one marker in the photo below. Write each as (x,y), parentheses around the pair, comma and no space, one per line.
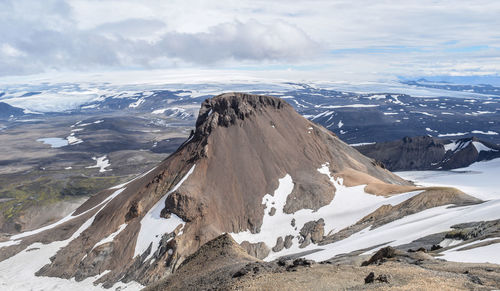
(281,185)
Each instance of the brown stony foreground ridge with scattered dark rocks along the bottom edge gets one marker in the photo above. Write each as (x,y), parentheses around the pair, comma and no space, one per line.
(222,264)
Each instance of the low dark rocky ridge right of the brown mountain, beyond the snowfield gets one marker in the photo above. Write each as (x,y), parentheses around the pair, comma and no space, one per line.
(428,153)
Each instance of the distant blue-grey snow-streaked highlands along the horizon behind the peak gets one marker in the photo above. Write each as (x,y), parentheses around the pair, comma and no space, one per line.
(413,109)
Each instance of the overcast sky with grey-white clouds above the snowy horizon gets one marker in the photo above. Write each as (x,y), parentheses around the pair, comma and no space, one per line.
(329,39)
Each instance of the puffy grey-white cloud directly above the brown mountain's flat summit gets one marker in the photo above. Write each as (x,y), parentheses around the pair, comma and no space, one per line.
(239,41)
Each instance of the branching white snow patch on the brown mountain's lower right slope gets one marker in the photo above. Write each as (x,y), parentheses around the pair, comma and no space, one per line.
(348,206)
